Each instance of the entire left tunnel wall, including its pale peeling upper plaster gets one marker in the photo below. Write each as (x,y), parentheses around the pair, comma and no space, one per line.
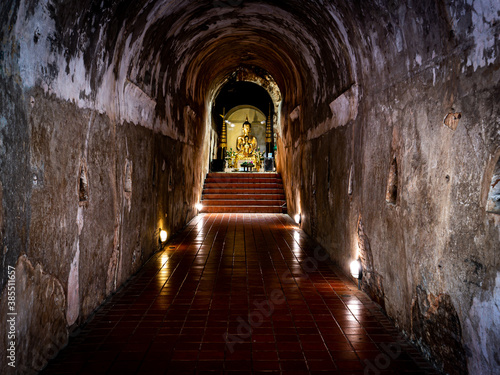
(89,174)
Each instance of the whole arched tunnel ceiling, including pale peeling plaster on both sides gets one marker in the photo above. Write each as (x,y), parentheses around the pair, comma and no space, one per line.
(152,61)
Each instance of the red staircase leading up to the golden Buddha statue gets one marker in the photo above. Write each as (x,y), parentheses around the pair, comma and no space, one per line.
(243,193)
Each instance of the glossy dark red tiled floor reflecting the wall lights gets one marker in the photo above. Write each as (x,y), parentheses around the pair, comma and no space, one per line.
(242,294)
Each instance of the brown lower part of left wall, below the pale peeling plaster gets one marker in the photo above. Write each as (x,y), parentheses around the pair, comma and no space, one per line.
(86,248)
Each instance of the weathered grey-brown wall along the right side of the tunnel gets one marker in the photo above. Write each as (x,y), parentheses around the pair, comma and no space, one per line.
(431,257)
